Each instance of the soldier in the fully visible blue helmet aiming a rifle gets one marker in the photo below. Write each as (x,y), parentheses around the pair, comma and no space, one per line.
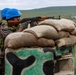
(14,21)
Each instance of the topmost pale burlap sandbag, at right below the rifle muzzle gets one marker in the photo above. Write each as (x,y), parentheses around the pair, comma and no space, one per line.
(62,24)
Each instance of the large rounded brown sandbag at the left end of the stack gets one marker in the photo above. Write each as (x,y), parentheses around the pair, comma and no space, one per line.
(20,39)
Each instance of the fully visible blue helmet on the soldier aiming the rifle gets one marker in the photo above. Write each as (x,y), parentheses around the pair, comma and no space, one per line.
(13,13)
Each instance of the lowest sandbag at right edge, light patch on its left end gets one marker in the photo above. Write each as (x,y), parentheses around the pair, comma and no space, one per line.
(66,41)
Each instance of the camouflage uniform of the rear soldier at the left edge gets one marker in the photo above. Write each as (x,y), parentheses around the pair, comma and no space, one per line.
(2,27)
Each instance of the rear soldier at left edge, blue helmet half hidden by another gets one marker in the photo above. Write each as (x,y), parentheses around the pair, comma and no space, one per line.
(3,28)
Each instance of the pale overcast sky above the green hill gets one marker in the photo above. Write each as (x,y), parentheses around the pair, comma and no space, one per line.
(32,4)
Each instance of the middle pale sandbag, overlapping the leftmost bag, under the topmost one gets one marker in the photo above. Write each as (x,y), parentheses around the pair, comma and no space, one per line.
(44,31)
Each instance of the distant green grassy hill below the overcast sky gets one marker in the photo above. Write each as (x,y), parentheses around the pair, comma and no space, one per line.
(50,11)
